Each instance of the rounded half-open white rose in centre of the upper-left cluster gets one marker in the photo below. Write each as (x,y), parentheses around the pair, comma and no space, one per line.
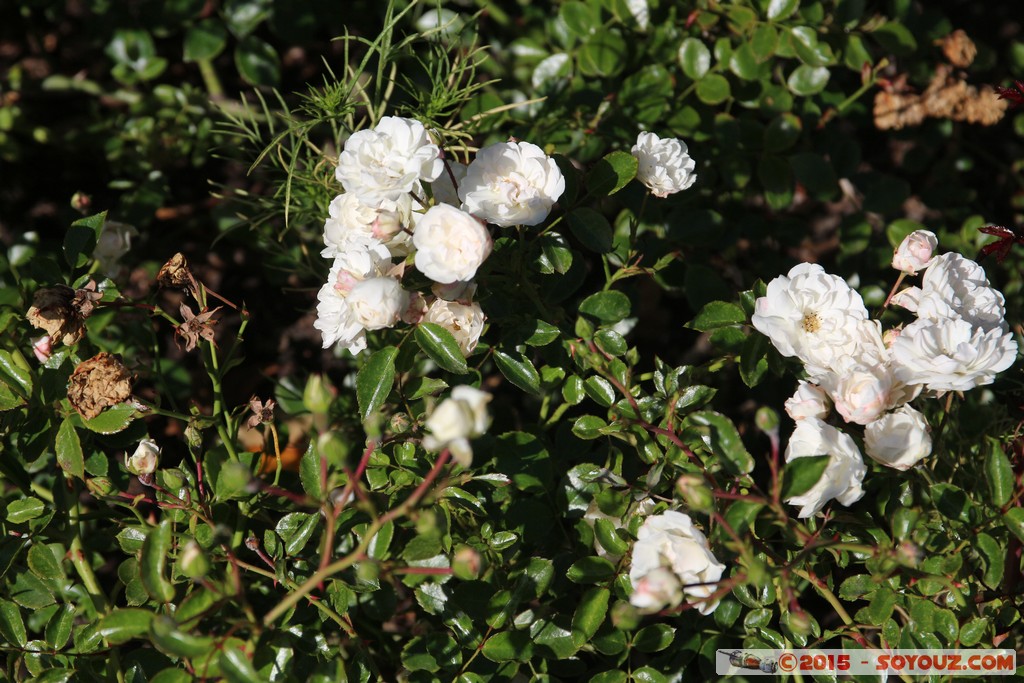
(451,245)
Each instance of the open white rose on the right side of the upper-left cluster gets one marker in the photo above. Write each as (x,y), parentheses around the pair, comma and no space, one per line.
(511,184)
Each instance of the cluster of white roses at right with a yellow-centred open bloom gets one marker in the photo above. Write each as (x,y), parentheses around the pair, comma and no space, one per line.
(960,340)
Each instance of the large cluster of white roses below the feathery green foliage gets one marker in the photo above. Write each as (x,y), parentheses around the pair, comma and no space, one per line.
(386,215)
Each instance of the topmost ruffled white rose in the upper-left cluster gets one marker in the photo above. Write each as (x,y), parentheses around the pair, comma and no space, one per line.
(390,161)
